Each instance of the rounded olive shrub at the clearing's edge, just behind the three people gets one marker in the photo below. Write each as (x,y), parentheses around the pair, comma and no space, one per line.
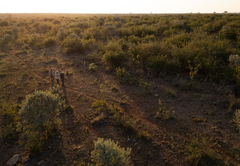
(73,44)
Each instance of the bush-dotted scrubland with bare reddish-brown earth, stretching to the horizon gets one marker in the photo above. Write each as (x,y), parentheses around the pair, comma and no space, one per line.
(196,53)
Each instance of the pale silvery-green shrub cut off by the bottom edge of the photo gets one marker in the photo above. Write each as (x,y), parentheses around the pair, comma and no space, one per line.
(108,153)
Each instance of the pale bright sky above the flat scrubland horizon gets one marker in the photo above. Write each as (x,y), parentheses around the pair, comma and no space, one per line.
(119,6)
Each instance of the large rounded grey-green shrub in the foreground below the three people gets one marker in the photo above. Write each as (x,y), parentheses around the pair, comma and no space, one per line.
(39,117)
